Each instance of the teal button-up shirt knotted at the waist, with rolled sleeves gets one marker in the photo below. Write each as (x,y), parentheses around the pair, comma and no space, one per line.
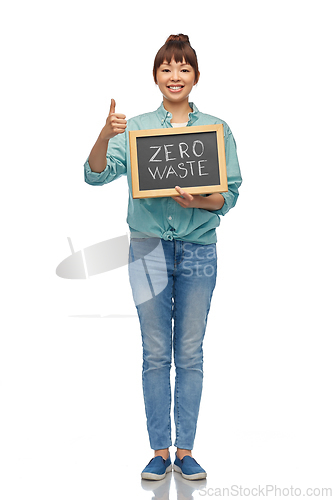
(163,217)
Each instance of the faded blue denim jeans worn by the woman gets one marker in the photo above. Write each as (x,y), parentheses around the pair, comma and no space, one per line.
(172,281)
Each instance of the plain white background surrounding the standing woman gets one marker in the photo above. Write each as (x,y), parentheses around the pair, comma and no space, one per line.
(72,415)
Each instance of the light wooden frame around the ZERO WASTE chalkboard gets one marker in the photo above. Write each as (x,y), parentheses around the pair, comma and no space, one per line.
(155,193)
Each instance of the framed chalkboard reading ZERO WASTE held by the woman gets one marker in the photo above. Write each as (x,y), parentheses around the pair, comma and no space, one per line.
(190,157)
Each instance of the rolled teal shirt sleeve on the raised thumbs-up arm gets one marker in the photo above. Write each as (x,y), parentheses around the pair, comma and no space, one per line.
(116,163)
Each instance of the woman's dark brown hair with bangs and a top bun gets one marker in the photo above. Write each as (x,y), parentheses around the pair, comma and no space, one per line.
(177,47)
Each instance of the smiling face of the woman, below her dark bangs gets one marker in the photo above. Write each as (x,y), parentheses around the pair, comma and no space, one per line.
(175,80)
